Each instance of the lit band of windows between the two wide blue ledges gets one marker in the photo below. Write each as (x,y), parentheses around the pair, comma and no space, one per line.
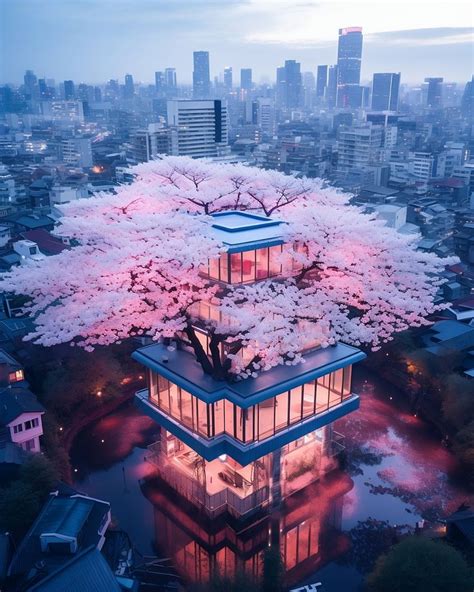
(255,423)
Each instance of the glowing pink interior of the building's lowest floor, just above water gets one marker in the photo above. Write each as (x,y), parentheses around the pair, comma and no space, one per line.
(223,482)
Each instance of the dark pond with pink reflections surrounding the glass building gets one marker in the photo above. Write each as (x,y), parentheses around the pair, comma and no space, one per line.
(395,472)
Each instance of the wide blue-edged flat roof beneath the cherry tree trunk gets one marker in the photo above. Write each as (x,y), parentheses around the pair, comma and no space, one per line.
(183,369)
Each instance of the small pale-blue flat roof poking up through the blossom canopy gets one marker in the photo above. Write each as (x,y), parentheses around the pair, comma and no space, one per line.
(241,231)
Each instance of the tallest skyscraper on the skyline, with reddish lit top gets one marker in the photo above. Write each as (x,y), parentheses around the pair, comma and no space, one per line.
(349,57)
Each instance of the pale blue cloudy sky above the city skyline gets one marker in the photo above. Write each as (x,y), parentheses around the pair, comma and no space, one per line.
(95,40)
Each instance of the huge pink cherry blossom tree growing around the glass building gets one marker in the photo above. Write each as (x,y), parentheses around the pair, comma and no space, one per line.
(136,270)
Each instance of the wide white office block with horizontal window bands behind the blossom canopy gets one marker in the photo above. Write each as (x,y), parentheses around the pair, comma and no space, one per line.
(201,127)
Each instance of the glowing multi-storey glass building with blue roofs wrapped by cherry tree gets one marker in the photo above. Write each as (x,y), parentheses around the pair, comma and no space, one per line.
(242,446)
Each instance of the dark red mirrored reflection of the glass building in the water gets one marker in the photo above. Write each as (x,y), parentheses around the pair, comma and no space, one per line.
(307,527)
